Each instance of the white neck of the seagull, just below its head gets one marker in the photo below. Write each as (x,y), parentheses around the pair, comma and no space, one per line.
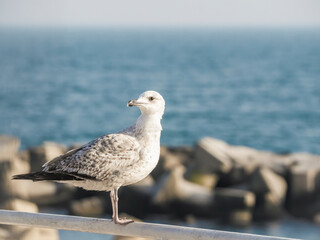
(149,123)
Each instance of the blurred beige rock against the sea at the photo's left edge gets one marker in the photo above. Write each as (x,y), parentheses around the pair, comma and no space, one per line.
(8,147)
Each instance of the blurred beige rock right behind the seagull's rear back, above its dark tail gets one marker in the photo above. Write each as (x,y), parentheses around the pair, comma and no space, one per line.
(41,154)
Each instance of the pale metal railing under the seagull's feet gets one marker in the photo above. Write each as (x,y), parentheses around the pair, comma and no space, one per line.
(105,226)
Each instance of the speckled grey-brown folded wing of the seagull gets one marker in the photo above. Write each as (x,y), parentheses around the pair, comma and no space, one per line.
(98,159)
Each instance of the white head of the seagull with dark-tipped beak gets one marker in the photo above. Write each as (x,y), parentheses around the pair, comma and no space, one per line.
(150,103)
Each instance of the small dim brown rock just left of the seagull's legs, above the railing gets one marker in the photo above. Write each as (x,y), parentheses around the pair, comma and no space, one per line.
(90,207)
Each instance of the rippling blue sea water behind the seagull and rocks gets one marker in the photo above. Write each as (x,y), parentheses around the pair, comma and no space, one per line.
(253,87)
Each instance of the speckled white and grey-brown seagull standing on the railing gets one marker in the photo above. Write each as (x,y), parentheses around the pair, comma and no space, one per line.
(113,160)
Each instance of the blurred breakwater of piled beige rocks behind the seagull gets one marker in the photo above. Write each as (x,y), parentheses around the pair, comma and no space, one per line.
(214,180)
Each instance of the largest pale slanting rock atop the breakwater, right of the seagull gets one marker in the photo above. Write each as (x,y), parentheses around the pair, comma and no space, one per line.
(236,163)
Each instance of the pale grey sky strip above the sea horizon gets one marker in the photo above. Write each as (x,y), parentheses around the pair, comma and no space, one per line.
(214,13)
